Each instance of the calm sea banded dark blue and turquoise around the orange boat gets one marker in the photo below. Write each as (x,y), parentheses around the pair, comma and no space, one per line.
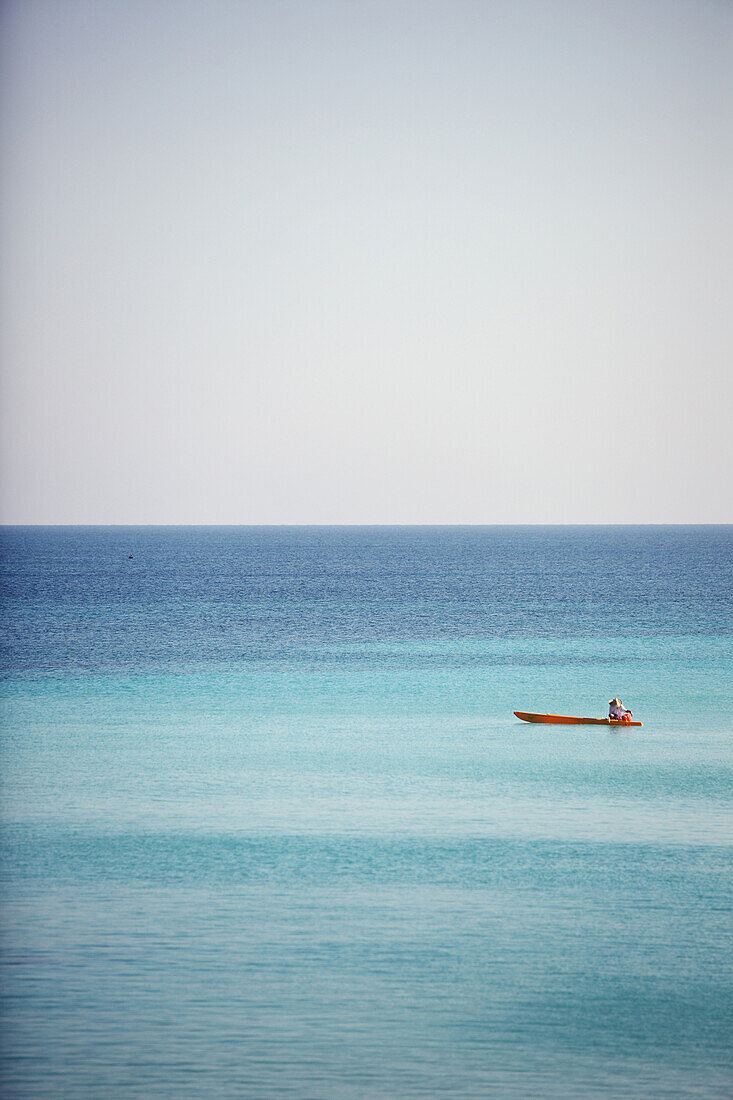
(271,829)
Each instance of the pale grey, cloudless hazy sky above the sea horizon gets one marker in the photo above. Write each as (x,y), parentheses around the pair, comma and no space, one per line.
(366,262)
